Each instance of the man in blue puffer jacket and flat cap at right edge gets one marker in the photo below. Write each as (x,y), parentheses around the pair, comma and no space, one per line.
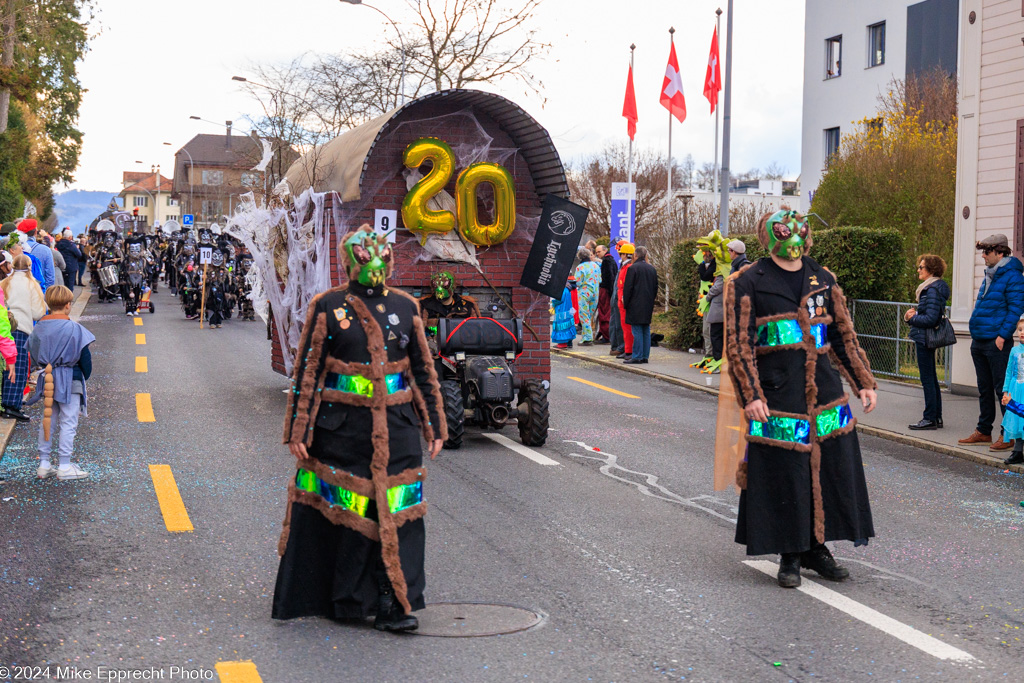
(1001,303)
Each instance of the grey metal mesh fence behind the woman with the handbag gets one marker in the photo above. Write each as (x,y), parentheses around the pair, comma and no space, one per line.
(885,337)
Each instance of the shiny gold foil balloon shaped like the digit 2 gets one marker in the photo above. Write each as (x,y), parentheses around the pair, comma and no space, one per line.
(415,215)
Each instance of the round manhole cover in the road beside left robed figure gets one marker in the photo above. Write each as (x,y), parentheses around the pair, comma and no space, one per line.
(474,620)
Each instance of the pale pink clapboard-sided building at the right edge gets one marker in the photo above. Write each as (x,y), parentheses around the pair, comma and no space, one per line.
(990,155)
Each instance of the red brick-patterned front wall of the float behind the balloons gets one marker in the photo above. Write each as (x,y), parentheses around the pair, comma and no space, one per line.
(383,187)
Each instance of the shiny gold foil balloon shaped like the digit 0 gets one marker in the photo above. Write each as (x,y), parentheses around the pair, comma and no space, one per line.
(465,202)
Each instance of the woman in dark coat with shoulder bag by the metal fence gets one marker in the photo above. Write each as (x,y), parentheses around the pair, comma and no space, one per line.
(932,296)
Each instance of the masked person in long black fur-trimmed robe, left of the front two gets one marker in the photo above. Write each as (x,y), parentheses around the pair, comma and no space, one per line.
(364,390)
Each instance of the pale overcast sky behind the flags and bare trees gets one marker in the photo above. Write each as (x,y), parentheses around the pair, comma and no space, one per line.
(157,64)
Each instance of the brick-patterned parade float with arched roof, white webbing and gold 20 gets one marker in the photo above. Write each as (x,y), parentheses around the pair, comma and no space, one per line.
(462,182)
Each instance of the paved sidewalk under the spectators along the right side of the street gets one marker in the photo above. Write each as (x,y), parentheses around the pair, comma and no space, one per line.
(900,405)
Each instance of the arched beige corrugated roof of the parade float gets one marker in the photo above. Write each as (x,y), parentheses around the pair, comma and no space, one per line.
(340,164)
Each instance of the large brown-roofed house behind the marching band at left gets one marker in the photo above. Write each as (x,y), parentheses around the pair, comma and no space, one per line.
(211,174)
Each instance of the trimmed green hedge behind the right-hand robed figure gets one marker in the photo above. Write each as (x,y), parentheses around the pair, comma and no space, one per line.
(868,263)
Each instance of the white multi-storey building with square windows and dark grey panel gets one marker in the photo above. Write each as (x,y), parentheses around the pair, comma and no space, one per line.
(852,53)
